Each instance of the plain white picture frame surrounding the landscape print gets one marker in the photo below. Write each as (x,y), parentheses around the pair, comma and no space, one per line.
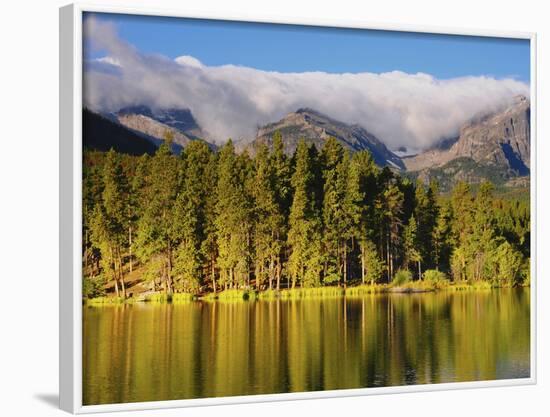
(70,182)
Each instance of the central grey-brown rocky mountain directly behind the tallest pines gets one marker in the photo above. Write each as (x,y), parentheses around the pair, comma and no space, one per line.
(315,128)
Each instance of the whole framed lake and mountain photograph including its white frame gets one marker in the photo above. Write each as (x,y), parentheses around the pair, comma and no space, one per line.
(262,210)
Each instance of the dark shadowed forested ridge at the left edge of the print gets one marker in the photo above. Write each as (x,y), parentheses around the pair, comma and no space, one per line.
(102,134)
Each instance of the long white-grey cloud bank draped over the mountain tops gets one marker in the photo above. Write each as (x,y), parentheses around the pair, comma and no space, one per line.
(412,110)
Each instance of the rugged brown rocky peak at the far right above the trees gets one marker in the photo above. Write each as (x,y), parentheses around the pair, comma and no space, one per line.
(499,142)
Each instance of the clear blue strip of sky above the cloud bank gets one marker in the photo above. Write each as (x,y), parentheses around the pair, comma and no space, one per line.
(287,48)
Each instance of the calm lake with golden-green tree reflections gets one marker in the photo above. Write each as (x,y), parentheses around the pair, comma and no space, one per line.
(148,352)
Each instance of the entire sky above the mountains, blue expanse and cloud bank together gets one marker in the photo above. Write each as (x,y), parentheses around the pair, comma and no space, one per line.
(374,78)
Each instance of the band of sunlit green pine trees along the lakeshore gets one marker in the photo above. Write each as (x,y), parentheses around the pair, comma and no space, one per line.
(208,221)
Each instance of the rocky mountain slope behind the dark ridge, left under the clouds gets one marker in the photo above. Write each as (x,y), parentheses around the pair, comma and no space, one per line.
(155,124)
